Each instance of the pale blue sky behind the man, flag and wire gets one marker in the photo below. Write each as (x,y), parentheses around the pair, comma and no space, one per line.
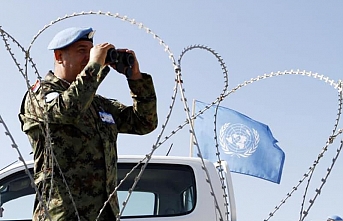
(252,37)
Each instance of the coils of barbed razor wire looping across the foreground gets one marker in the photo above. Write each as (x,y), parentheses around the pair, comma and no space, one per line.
(179,84)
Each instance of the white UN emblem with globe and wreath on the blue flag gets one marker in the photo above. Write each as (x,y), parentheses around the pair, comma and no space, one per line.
(238,139)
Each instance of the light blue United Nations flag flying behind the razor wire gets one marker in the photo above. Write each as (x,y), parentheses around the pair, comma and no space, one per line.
(247,145)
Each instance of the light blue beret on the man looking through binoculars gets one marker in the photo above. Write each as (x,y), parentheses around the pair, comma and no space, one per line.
(69,36)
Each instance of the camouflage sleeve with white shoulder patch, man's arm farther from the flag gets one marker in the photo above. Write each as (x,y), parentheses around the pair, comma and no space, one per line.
(63,106)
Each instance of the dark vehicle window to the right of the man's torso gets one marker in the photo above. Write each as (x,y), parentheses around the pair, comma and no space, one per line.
(170,189)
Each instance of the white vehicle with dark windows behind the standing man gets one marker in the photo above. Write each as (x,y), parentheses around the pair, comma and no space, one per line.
(170,188)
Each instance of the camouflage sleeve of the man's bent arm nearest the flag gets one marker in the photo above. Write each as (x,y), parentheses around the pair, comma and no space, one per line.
(141,117)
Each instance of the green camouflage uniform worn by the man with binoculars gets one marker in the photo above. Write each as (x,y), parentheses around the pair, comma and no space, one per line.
(83,143)
